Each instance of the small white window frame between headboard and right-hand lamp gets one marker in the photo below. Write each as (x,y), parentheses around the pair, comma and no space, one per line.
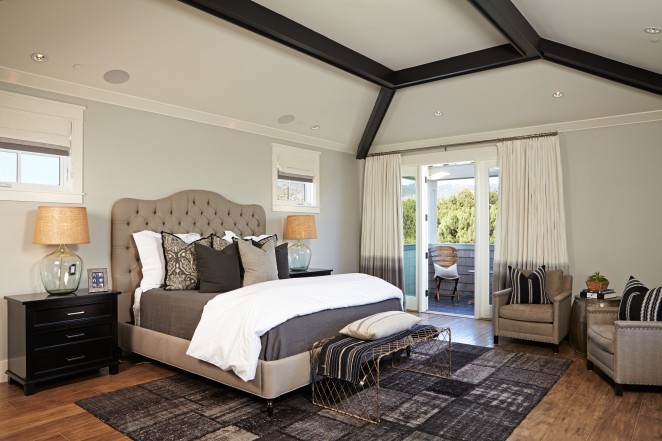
(310,156)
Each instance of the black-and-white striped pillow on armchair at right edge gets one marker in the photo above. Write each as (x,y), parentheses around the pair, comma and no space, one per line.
(640,303)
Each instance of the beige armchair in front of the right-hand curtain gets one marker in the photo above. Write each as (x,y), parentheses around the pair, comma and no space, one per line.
(544,323)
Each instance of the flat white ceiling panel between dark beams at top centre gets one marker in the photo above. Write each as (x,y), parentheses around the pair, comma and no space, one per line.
(397,34)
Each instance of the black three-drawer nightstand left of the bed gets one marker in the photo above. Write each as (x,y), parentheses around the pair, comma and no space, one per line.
(53,336)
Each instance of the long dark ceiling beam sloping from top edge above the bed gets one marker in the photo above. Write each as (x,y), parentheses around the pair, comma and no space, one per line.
(263,21)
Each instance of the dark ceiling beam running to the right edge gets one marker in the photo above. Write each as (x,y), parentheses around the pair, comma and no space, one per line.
(602,66)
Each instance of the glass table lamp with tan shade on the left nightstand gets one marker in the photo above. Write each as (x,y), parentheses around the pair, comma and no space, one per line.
(61,270)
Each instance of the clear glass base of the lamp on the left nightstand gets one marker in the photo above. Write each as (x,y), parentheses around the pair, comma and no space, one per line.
(61,271)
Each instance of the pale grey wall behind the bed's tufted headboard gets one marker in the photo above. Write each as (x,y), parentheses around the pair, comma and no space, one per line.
(131,153)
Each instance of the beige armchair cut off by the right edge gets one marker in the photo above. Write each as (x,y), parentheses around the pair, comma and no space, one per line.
(628,352)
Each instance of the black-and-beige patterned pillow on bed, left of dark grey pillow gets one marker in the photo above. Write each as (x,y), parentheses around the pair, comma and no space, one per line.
(181,269)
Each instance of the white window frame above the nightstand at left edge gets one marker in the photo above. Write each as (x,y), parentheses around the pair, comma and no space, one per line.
(70,190)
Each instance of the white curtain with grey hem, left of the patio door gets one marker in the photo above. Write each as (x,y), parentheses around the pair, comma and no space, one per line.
(381,226)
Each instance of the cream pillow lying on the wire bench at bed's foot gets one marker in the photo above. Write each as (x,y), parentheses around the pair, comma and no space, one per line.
(380,325)
